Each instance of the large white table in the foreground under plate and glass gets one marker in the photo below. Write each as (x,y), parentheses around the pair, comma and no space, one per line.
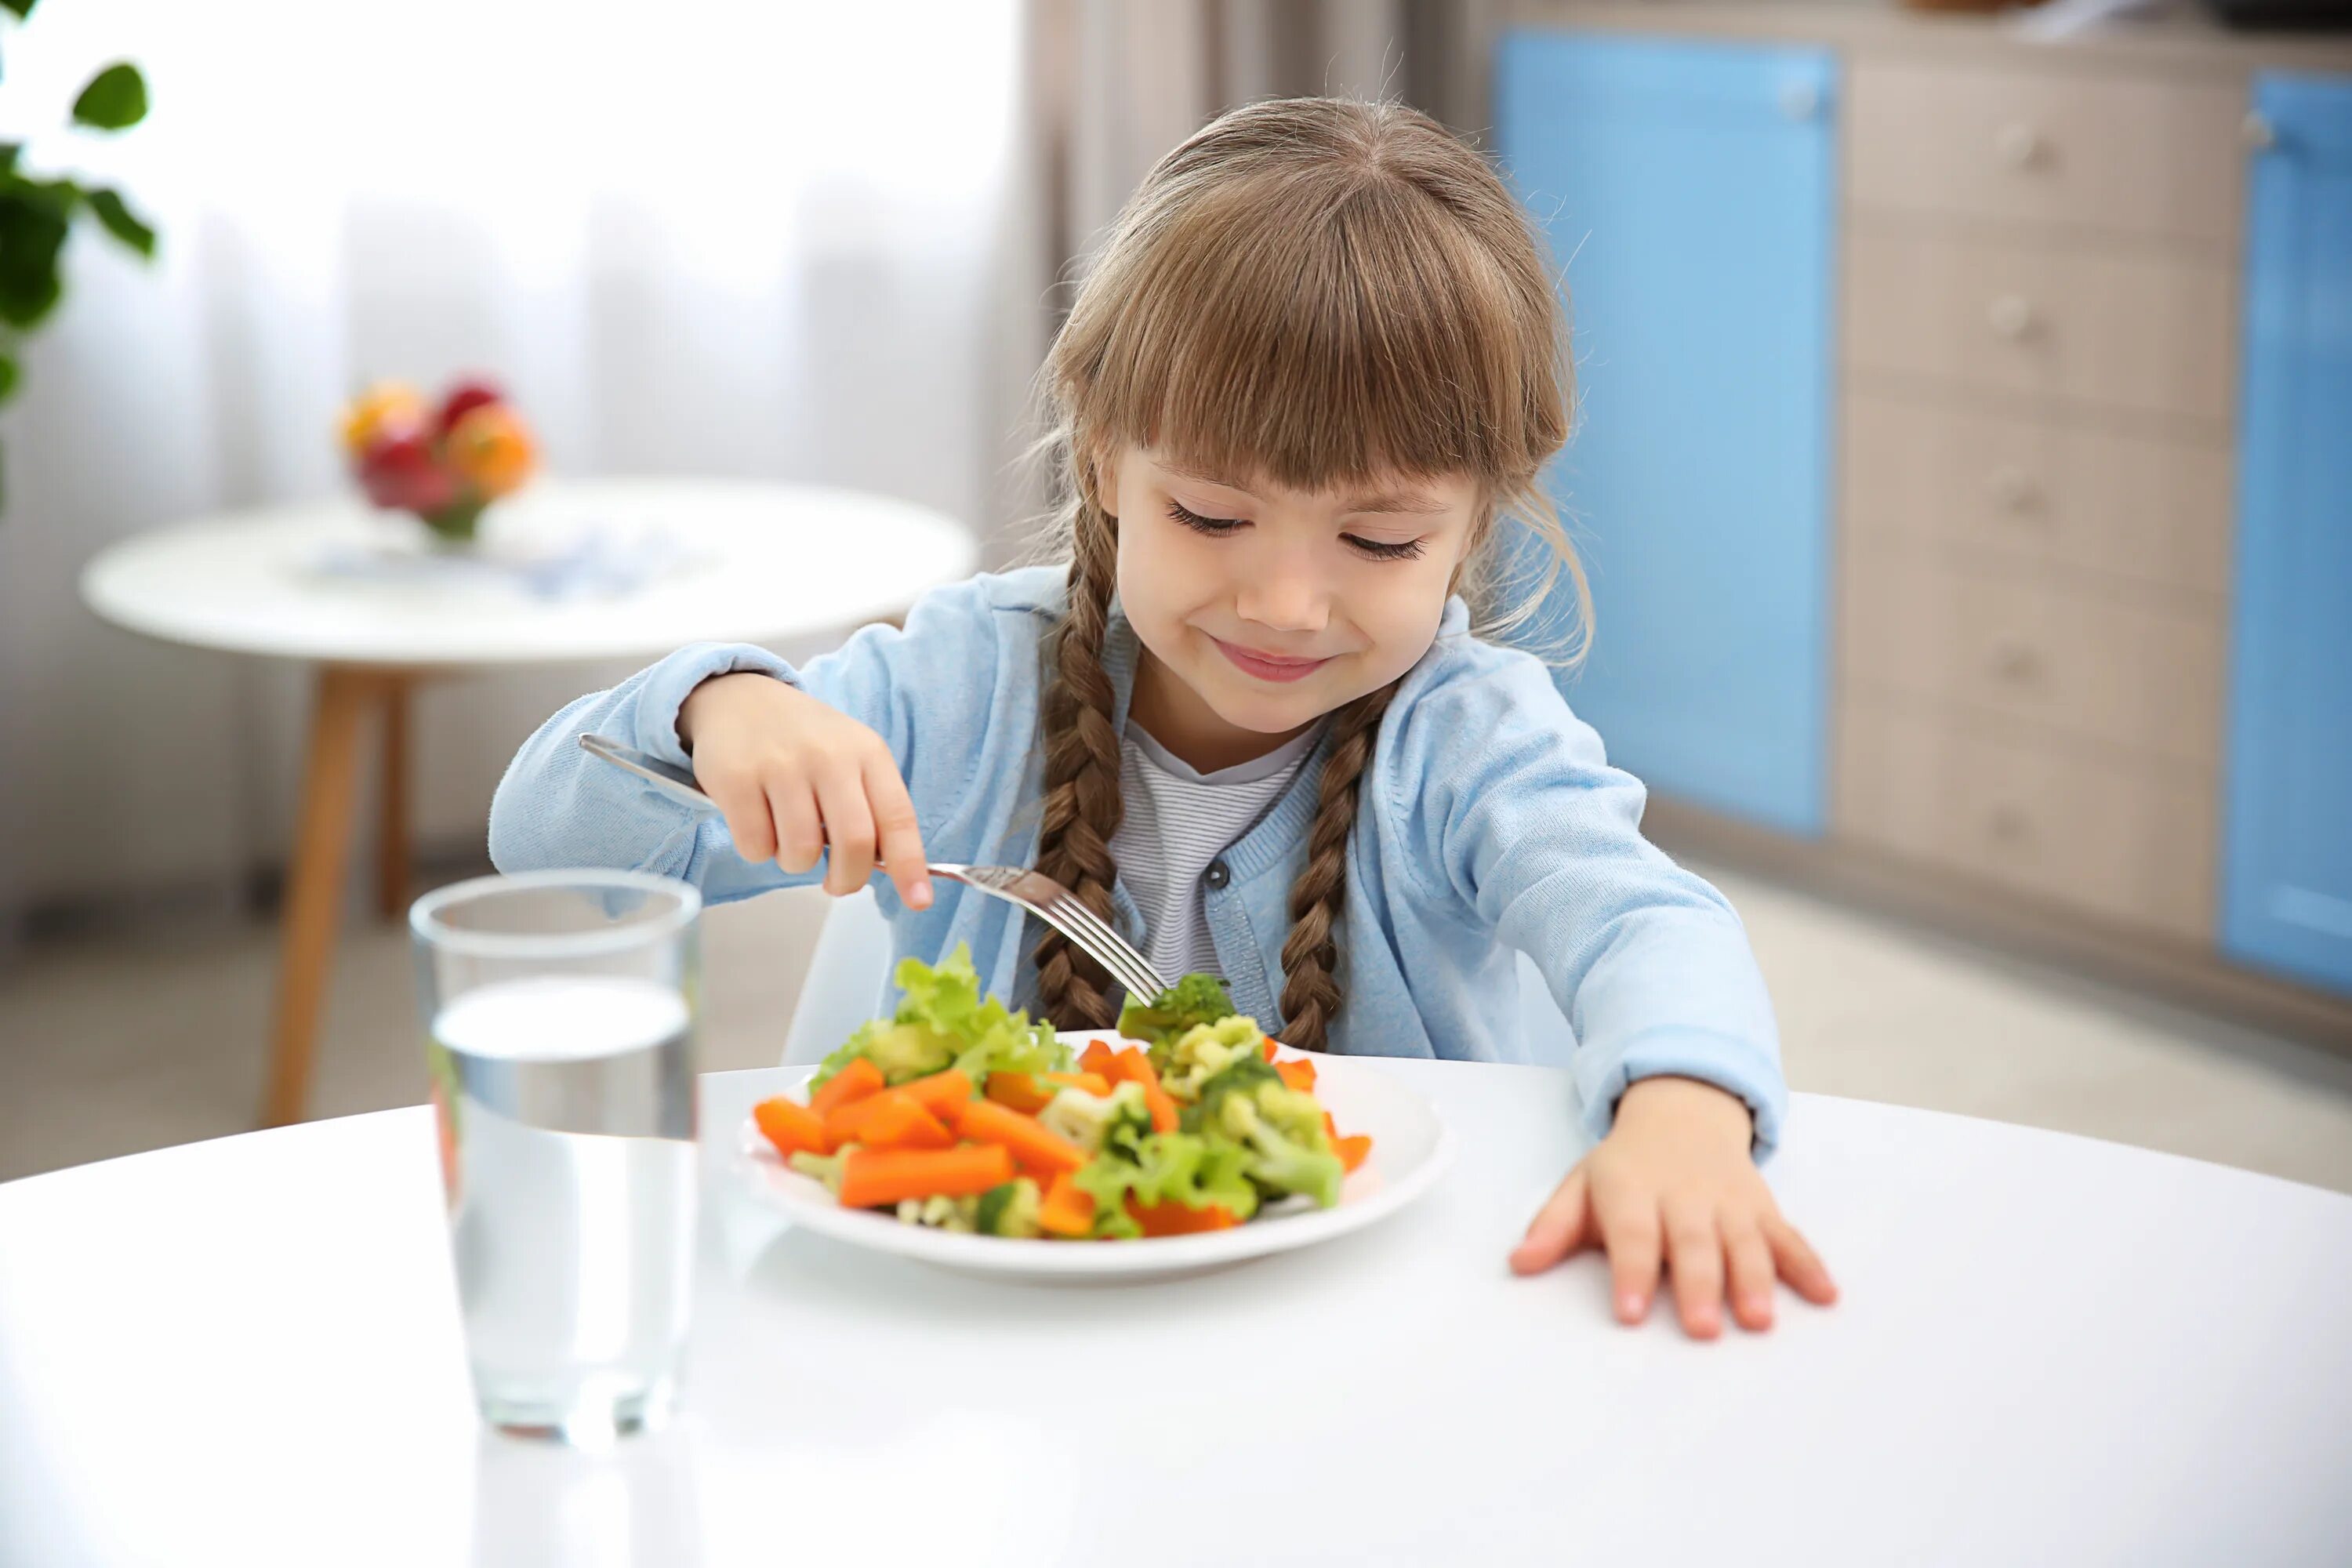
(2050,1353)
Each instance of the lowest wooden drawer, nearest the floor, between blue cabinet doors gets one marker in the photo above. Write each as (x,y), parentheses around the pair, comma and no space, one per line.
(1984,800)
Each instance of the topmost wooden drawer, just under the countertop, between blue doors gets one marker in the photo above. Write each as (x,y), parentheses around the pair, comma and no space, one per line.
(2130,156)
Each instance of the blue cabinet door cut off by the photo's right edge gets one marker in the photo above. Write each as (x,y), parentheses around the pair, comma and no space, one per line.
(2287,873)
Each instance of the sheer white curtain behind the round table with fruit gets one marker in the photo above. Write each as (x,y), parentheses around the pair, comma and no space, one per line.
(702,236)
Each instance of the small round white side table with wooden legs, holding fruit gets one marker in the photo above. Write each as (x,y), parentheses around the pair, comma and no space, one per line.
(759,563)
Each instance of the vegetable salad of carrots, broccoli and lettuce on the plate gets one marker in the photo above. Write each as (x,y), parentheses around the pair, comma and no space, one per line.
(970,1118)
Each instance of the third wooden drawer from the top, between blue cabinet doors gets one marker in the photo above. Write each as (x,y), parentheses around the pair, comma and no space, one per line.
(2038,492)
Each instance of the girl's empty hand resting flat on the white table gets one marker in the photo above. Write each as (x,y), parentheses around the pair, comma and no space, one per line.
(1673,1186)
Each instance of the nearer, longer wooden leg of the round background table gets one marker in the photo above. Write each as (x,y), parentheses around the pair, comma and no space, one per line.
(316,887)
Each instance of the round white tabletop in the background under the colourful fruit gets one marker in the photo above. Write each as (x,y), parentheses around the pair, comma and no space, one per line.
(754,563)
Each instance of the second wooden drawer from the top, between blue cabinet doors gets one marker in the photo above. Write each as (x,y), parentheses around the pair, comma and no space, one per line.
(2118,328)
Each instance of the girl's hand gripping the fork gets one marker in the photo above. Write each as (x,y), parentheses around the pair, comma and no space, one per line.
(796,777)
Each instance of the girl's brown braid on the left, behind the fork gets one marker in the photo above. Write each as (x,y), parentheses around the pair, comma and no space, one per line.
(1081,777)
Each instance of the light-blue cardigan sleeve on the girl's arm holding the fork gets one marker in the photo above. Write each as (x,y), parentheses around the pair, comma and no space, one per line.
(563,808)
